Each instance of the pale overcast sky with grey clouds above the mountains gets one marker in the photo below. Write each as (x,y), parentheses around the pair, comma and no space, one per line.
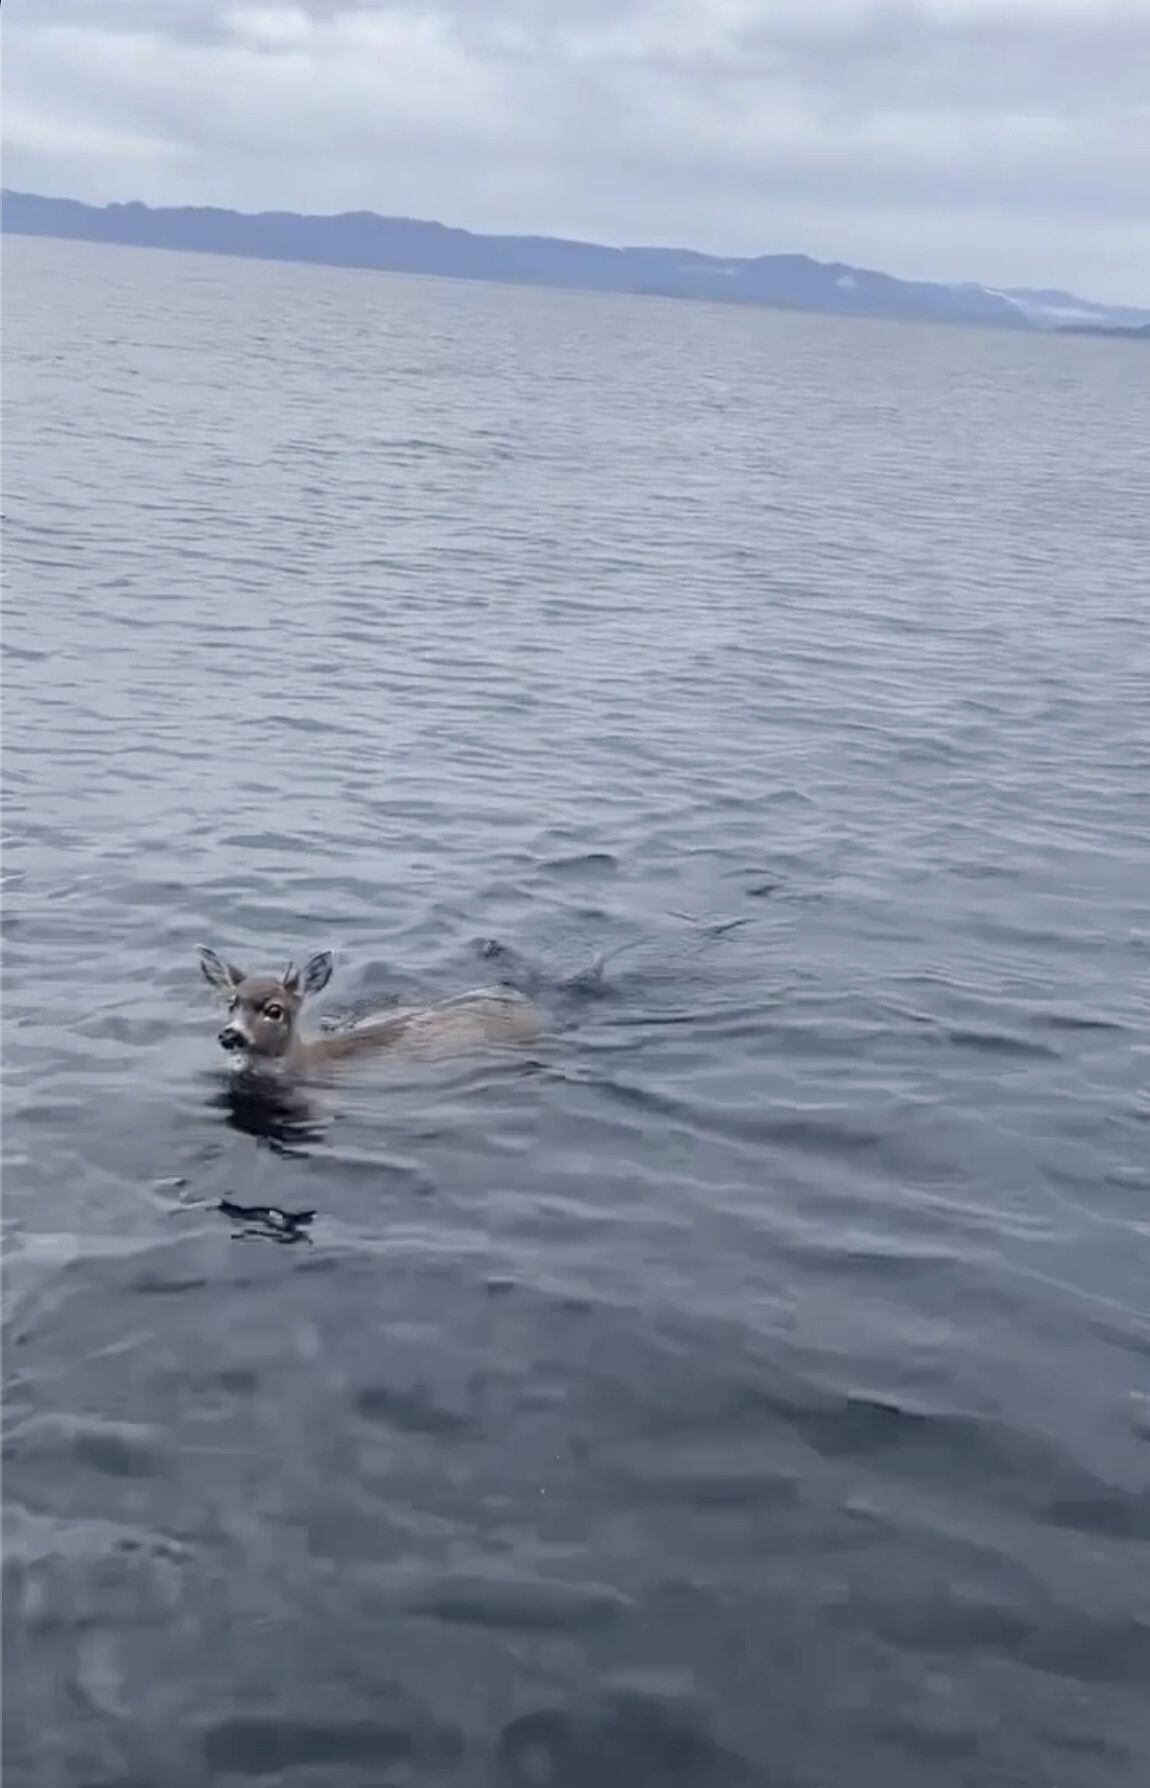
(999,140)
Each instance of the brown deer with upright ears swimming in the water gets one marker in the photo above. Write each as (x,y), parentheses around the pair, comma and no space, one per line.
(264,1011)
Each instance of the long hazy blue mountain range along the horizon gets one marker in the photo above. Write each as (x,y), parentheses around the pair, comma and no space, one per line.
(407,246)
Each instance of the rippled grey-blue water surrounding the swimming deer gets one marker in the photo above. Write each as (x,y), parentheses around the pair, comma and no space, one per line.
(750,1387)
